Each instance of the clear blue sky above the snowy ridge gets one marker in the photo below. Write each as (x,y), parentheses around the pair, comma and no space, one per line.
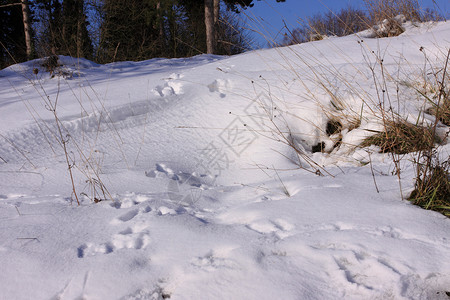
(271,15)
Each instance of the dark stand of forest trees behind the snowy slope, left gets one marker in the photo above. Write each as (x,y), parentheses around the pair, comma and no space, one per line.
(116,30)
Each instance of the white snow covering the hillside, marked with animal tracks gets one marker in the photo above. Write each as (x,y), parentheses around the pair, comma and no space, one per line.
(205,197)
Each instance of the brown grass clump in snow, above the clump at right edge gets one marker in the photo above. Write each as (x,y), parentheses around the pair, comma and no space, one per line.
(402,137)
